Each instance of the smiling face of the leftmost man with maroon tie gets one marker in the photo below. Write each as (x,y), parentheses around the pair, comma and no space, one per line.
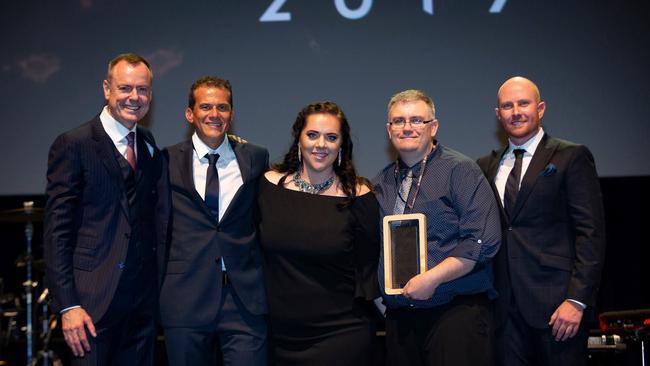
(128,92)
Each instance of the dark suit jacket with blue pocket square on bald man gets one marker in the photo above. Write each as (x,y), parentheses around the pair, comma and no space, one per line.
(554,243)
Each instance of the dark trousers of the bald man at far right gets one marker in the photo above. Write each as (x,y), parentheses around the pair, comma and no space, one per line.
(517,343)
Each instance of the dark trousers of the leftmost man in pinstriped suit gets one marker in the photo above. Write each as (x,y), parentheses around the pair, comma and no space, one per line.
(126,333)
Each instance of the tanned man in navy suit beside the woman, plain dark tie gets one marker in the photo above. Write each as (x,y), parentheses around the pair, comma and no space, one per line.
(212,292)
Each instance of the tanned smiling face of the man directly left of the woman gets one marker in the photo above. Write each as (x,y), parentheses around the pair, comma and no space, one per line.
(210,115)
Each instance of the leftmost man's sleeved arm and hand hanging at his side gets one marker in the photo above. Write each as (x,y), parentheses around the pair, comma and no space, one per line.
(64,187)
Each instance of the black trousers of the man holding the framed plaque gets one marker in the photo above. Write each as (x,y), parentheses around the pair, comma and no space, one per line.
(457,333)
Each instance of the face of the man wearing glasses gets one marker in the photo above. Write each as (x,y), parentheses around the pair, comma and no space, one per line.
(412,143)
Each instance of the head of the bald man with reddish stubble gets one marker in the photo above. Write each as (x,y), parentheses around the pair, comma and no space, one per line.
(519,109)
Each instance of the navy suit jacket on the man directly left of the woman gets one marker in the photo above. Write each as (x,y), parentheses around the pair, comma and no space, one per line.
(191,289)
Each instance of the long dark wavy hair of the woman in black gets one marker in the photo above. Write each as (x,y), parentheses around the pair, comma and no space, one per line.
(345,172)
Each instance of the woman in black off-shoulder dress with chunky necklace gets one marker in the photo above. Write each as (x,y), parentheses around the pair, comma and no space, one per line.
(319,232)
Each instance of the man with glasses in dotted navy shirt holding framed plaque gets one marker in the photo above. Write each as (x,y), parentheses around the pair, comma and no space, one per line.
(442,316)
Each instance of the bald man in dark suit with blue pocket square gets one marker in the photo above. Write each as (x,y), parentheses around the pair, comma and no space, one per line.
(548,270)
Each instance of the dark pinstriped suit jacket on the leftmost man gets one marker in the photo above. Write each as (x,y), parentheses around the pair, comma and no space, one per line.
(87,225)
